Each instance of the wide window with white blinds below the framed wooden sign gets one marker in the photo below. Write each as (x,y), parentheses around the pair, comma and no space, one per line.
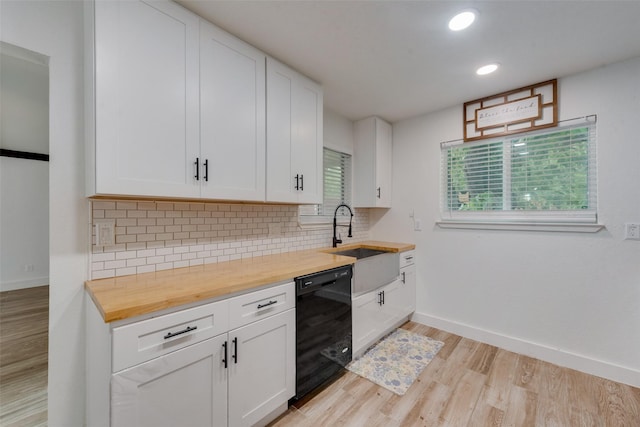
(543,176)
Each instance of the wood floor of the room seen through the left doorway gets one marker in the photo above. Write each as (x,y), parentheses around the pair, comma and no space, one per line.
(24,329)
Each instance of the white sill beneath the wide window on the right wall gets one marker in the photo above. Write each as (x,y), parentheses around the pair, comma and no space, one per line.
(523,226)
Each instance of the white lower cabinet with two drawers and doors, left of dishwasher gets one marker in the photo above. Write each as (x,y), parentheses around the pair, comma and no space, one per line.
(227,363)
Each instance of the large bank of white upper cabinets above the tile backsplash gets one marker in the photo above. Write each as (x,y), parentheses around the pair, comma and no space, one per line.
(177,108)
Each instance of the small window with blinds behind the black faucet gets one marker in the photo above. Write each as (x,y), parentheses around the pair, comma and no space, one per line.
(337,185)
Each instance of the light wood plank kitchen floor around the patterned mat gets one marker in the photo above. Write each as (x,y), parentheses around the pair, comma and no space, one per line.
(473,384)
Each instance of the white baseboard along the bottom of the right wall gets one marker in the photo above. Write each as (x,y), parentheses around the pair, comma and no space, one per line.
(566,359)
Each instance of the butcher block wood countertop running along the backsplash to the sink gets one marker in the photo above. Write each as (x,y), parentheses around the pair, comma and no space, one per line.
(124,297)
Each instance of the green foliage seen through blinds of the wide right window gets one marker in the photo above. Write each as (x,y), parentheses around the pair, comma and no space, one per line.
(548,171)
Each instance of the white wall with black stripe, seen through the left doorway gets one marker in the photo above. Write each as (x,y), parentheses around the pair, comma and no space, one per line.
(24,193)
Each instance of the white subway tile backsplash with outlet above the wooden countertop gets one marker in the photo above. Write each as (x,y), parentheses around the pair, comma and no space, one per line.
(154,236)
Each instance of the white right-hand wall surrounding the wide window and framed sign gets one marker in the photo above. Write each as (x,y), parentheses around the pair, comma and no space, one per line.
(569,298)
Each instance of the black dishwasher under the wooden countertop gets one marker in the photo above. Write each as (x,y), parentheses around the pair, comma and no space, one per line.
(323,327)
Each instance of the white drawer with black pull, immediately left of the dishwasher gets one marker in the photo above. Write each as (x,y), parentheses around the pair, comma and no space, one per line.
(248,308)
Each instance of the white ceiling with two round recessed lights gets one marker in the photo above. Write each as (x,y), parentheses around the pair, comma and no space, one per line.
(398,59)
